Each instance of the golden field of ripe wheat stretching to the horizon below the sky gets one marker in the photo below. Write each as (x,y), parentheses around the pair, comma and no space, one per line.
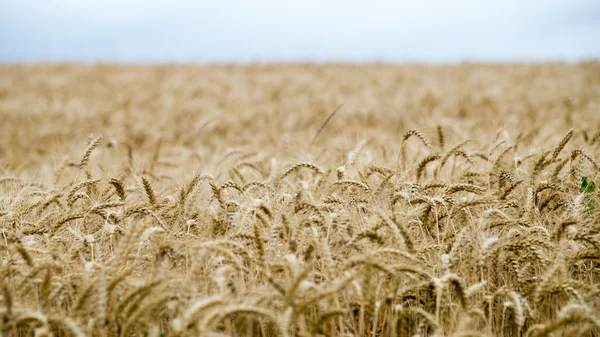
(300,200)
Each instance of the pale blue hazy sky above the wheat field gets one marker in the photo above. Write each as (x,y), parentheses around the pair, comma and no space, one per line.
(242,31)
